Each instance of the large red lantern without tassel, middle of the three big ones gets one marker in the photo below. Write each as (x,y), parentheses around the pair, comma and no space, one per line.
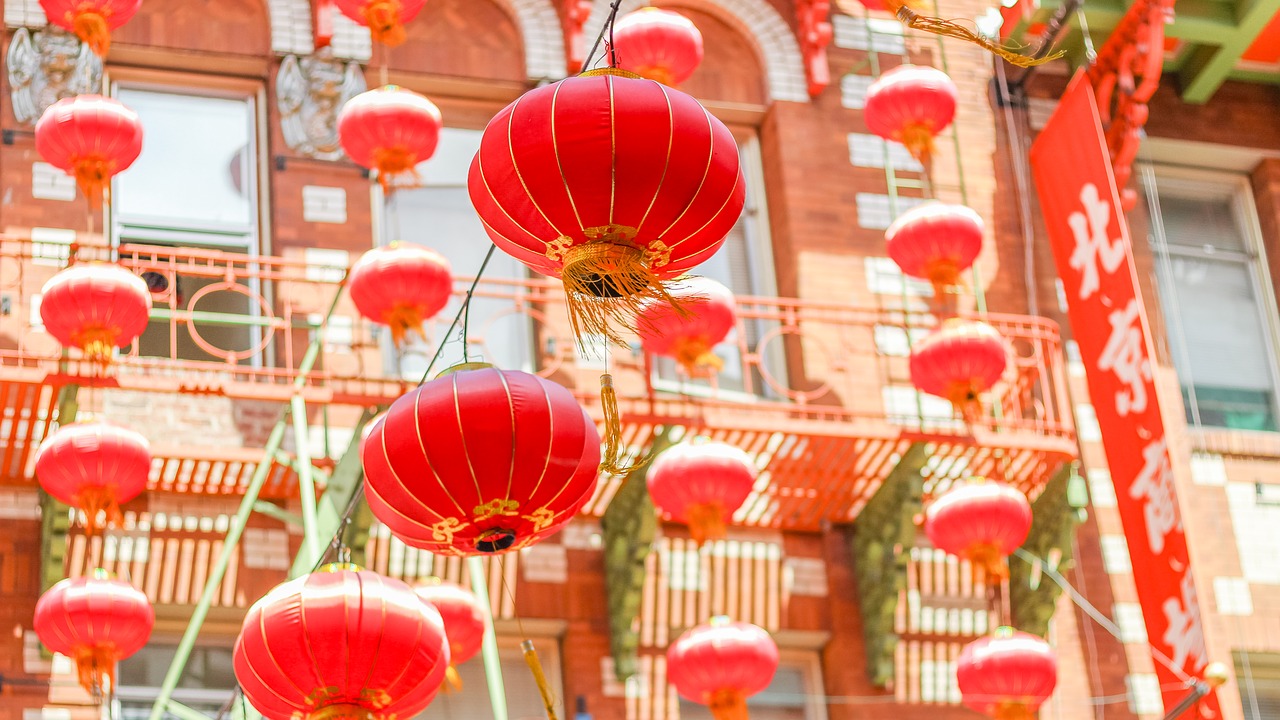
(481,461)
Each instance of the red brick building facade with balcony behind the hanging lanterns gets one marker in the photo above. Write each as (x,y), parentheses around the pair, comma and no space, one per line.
(209,80)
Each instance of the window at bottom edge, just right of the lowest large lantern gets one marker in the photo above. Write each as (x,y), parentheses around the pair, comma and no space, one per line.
(524,701)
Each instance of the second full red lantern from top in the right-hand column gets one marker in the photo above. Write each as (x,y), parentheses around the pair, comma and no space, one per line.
(936,243)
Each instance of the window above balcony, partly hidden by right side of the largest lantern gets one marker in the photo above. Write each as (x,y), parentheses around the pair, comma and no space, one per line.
(746,266)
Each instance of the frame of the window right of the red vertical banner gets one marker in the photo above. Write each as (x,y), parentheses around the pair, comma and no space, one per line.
(1156,176)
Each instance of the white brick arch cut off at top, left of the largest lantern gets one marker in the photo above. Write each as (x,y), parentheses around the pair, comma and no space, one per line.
(538,22)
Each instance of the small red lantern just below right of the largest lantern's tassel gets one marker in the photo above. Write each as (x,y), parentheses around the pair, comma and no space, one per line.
(706,317)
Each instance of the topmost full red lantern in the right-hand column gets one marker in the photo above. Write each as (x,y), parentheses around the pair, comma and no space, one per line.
(911,104)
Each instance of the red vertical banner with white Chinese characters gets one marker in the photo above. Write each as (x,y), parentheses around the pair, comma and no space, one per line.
(1081,204)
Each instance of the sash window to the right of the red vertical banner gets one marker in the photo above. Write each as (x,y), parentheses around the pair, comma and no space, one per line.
(1217,299)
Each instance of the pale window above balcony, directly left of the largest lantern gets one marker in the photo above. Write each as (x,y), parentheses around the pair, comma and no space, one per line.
(441,217)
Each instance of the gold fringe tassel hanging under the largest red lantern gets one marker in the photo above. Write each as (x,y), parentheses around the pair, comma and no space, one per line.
(607,282)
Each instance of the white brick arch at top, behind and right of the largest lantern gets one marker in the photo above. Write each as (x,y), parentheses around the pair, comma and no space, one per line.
(758,20)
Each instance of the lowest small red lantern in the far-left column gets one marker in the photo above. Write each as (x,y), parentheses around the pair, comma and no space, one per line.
(97,622)
